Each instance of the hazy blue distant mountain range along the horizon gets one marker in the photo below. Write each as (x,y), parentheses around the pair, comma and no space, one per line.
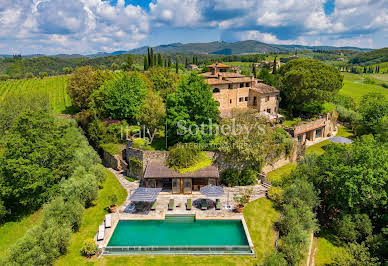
(215,48)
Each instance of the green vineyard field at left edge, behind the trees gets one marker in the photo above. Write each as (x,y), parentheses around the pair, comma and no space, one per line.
(55,87)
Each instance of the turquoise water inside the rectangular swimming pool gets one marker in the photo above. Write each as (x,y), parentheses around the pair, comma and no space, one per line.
(179,231)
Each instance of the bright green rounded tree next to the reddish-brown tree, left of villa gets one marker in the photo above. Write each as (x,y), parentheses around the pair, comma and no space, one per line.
(121,98)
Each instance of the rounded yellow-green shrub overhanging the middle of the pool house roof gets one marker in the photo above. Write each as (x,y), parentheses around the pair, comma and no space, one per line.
(183,155)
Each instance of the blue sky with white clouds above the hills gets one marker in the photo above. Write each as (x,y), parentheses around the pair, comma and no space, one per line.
(89,26)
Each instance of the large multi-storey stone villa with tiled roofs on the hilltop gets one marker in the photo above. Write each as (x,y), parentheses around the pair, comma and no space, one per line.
(233,90)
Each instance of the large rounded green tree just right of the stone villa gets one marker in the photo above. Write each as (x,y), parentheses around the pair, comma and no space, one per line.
(306,84)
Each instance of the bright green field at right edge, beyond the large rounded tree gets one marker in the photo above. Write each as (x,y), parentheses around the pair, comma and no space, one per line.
(355,87)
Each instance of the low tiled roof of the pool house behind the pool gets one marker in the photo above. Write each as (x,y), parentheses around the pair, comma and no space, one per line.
(158,169)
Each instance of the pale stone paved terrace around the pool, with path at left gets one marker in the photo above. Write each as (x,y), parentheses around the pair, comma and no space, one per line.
(161,212)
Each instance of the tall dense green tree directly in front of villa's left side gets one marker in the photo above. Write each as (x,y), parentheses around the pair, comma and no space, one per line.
(190,107)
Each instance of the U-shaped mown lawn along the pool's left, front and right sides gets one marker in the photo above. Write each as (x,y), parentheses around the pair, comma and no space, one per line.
(260,216)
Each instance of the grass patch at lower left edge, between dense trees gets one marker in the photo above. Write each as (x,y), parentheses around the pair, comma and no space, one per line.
(12,231)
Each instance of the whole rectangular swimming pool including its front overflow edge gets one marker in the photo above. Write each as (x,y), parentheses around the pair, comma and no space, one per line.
(179,235)
